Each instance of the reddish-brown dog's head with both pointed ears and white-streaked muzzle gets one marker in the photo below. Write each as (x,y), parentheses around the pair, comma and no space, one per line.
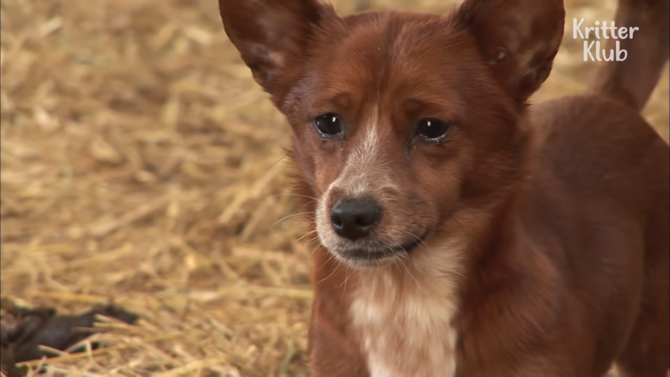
(399,119)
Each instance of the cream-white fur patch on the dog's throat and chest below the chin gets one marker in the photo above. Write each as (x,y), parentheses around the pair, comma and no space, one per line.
(404,314)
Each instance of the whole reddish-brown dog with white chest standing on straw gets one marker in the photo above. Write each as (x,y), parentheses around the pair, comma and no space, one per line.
(462,231)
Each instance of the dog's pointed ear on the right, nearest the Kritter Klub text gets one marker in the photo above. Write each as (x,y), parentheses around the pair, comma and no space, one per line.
(518,38)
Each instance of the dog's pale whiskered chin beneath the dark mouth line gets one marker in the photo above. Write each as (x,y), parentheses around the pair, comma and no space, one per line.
(366,258)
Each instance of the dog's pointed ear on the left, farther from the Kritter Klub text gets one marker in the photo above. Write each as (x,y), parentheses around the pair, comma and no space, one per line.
(270,34)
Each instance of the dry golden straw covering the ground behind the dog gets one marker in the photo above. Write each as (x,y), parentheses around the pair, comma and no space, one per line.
(142,166)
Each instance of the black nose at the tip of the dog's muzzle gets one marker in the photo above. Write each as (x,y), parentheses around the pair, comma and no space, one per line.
(354,218)
